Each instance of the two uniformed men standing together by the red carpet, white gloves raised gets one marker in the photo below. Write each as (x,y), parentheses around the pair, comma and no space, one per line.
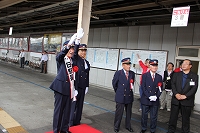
(71,84)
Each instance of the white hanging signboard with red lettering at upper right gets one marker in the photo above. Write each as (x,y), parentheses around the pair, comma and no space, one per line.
(180,16)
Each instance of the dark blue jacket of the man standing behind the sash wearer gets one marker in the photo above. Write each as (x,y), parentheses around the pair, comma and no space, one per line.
(82,76)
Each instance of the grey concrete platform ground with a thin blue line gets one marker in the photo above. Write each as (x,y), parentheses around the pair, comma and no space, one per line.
(24,95)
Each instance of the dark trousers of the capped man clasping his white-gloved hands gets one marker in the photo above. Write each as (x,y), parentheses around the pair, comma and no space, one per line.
(153,117)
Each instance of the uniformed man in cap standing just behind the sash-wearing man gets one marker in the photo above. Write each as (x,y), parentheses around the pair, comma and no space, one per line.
(81,82)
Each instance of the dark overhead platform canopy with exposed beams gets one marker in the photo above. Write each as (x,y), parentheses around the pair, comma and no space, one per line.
(51,15)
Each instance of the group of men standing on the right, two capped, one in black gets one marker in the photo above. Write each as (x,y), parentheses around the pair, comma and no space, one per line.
(177,88)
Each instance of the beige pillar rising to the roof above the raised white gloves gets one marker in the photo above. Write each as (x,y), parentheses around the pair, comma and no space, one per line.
(84,15)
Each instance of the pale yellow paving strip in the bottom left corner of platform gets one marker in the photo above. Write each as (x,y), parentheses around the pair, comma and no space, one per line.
(10,124)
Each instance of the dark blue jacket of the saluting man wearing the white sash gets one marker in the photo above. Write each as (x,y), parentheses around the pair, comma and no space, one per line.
(61,83)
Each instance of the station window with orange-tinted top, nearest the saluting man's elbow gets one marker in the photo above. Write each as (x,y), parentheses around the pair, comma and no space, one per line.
(52,42)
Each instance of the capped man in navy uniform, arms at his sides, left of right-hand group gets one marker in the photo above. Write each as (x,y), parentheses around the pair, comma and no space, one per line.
(123,86)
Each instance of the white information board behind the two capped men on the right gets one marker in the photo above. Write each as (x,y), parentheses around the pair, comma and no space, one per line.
(161,56)
